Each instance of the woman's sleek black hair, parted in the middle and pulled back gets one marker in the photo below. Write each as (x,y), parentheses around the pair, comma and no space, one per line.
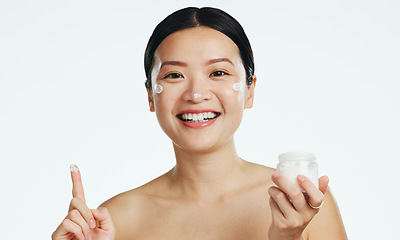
(194,17)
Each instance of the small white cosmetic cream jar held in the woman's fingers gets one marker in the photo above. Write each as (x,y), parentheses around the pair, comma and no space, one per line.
(292,164)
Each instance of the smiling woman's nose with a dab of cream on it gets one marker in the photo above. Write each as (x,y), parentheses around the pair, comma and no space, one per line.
(197,90)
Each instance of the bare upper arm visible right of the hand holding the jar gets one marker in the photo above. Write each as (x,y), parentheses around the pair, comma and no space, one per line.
(327,224)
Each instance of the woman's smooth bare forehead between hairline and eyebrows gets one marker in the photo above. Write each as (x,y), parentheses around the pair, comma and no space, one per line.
(197,44)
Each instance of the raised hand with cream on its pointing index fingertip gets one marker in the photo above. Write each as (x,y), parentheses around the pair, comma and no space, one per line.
(80,223)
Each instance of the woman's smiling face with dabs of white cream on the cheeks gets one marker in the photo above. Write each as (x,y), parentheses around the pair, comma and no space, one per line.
(199,109)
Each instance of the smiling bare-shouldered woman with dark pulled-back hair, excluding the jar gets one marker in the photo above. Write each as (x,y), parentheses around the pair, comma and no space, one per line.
(200,78)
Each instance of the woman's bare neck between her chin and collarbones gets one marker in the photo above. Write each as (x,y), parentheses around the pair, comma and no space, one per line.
(206,175)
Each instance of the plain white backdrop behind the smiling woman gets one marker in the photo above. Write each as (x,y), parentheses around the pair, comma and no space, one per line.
(72,91)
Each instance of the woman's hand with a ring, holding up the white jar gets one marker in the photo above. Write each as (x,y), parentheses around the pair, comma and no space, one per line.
(291,210)
